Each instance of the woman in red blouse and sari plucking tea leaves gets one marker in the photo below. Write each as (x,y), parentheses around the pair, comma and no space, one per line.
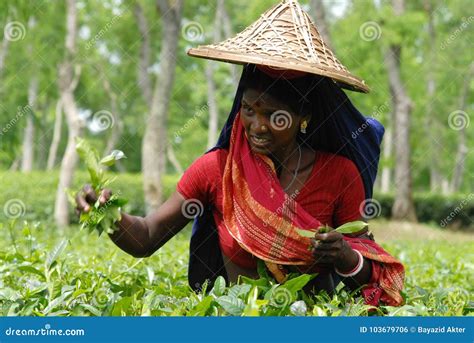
(282,163)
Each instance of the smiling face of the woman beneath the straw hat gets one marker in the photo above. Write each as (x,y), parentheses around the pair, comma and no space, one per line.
(270,125)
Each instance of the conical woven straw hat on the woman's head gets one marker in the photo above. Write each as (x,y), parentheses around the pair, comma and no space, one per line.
(283,37)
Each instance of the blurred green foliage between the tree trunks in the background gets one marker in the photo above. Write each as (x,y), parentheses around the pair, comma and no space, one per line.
(117,51)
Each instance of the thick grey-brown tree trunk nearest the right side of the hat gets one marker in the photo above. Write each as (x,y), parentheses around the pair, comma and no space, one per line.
(403,207)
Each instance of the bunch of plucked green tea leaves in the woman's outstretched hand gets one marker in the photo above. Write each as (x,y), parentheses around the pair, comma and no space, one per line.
(101,217)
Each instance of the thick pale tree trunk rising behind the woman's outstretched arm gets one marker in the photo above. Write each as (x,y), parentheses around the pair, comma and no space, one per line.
(155,138)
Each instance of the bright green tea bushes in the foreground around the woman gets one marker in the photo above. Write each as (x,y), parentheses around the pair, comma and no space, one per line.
(43,273)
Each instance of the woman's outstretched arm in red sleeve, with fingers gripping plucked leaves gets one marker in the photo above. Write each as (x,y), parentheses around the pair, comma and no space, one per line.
(140,236)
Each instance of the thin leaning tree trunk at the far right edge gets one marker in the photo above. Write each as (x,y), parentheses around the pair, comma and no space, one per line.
(462,149)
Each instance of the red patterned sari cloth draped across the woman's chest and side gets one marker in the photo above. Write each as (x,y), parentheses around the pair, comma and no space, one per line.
(263,219)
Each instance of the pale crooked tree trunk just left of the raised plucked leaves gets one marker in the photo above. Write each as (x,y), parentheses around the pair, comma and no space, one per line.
(67,84)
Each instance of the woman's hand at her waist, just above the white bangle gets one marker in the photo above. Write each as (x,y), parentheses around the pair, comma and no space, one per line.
(331,248)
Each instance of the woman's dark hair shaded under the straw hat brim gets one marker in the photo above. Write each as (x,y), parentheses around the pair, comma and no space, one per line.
(298,93)
